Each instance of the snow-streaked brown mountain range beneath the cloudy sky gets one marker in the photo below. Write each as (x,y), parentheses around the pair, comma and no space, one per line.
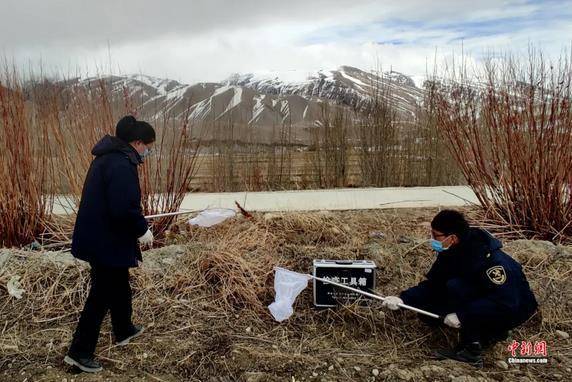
(264,100)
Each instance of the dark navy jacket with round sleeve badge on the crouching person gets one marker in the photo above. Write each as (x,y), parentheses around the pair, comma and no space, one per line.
(476,280)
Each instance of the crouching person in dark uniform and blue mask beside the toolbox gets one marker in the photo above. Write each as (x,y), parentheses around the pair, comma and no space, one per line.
(478,288)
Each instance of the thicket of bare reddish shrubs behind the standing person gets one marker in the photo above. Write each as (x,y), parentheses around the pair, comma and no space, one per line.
(47,131)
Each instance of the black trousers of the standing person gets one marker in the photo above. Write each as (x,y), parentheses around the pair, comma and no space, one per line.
(109,291)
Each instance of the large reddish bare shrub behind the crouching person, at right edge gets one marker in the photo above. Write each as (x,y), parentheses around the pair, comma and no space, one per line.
(510,129)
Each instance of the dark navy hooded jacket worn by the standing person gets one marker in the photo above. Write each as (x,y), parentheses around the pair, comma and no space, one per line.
(110,219)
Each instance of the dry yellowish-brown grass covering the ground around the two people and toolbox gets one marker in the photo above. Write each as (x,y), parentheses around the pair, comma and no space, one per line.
(204,301)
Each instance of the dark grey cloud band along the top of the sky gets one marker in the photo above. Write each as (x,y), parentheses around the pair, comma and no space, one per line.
(87,23)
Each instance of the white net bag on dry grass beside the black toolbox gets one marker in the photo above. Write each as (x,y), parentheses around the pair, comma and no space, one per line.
(287,285)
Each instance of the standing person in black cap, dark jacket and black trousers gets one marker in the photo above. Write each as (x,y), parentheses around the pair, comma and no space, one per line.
(109,228)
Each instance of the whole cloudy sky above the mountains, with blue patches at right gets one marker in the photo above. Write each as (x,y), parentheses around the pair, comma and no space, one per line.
(207,40)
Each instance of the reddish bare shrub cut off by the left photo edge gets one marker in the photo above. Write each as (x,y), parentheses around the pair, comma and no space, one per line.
(26,172)
